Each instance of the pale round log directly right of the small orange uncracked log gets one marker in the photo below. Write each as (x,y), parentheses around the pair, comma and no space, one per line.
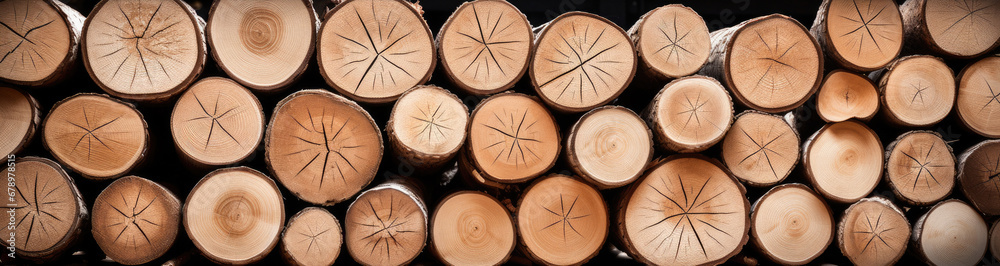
(916,91)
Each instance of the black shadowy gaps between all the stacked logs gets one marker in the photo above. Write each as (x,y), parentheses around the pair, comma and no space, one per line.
(163,166)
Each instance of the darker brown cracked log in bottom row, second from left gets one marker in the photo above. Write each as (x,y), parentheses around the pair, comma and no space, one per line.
(135,220)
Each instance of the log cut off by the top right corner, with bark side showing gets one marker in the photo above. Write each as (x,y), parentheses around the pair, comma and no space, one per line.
(952,29)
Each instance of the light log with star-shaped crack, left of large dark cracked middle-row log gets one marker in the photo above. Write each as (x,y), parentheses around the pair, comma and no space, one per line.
(216,122)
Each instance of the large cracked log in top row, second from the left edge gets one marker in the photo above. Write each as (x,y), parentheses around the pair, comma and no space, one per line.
(145,51)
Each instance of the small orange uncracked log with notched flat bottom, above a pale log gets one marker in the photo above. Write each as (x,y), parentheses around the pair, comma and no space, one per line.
(846,95)
